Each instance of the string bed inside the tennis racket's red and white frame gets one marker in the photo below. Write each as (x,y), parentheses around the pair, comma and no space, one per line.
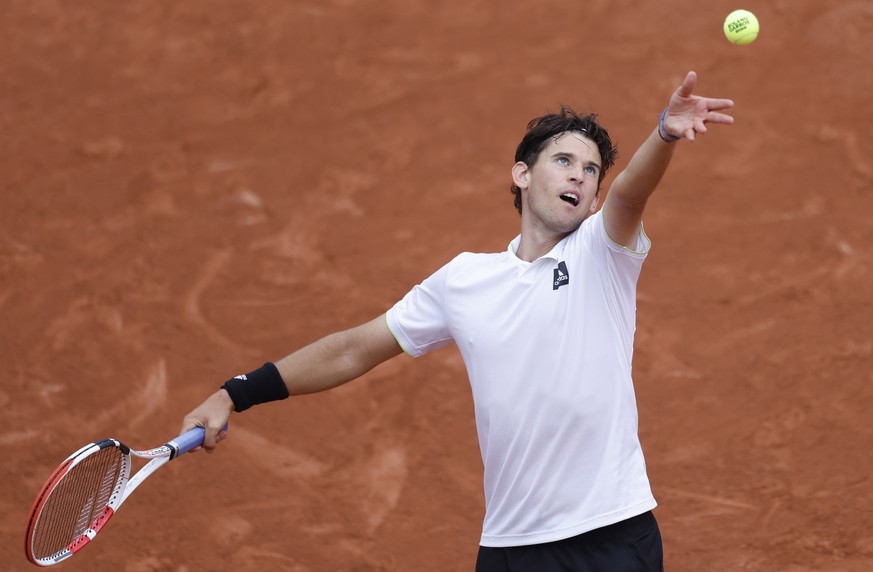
(76,500)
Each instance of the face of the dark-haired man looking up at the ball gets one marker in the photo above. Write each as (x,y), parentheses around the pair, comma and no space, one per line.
(559,190)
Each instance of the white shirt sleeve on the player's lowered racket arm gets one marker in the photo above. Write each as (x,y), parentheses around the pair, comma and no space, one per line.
(418,321)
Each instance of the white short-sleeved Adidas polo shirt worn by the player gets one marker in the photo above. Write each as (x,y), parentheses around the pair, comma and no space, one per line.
(548,346)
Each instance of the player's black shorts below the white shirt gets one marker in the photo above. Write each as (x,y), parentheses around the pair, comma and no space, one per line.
(632,545)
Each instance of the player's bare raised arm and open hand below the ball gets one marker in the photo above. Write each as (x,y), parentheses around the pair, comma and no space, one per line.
(685,117)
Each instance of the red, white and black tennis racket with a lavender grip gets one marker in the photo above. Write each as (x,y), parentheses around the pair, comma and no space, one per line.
(86,490)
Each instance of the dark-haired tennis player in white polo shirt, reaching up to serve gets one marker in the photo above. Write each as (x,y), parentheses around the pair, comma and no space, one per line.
(546,331)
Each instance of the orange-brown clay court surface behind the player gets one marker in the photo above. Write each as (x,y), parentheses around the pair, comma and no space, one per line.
(192,188)
